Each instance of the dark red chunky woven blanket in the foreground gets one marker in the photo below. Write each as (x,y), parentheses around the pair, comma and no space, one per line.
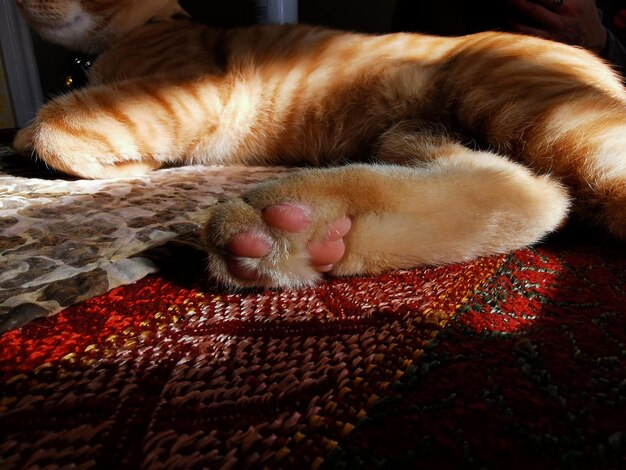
(515,361)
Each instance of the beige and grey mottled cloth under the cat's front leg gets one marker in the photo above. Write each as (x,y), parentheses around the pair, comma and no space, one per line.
(64,241)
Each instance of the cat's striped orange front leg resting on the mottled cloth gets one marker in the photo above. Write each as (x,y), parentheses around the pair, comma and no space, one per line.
(120,129)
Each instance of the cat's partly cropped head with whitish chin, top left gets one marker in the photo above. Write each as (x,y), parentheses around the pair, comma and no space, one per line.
(92,25)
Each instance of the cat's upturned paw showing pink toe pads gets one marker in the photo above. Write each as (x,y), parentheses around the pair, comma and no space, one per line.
(287,244)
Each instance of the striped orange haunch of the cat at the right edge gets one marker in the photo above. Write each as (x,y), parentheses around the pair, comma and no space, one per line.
(557,108)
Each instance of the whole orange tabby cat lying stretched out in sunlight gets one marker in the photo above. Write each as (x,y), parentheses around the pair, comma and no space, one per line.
(384,120)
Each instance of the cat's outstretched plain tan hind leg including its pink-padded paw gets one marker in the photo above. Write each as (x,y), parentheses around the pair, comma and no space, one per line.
(450,210)
